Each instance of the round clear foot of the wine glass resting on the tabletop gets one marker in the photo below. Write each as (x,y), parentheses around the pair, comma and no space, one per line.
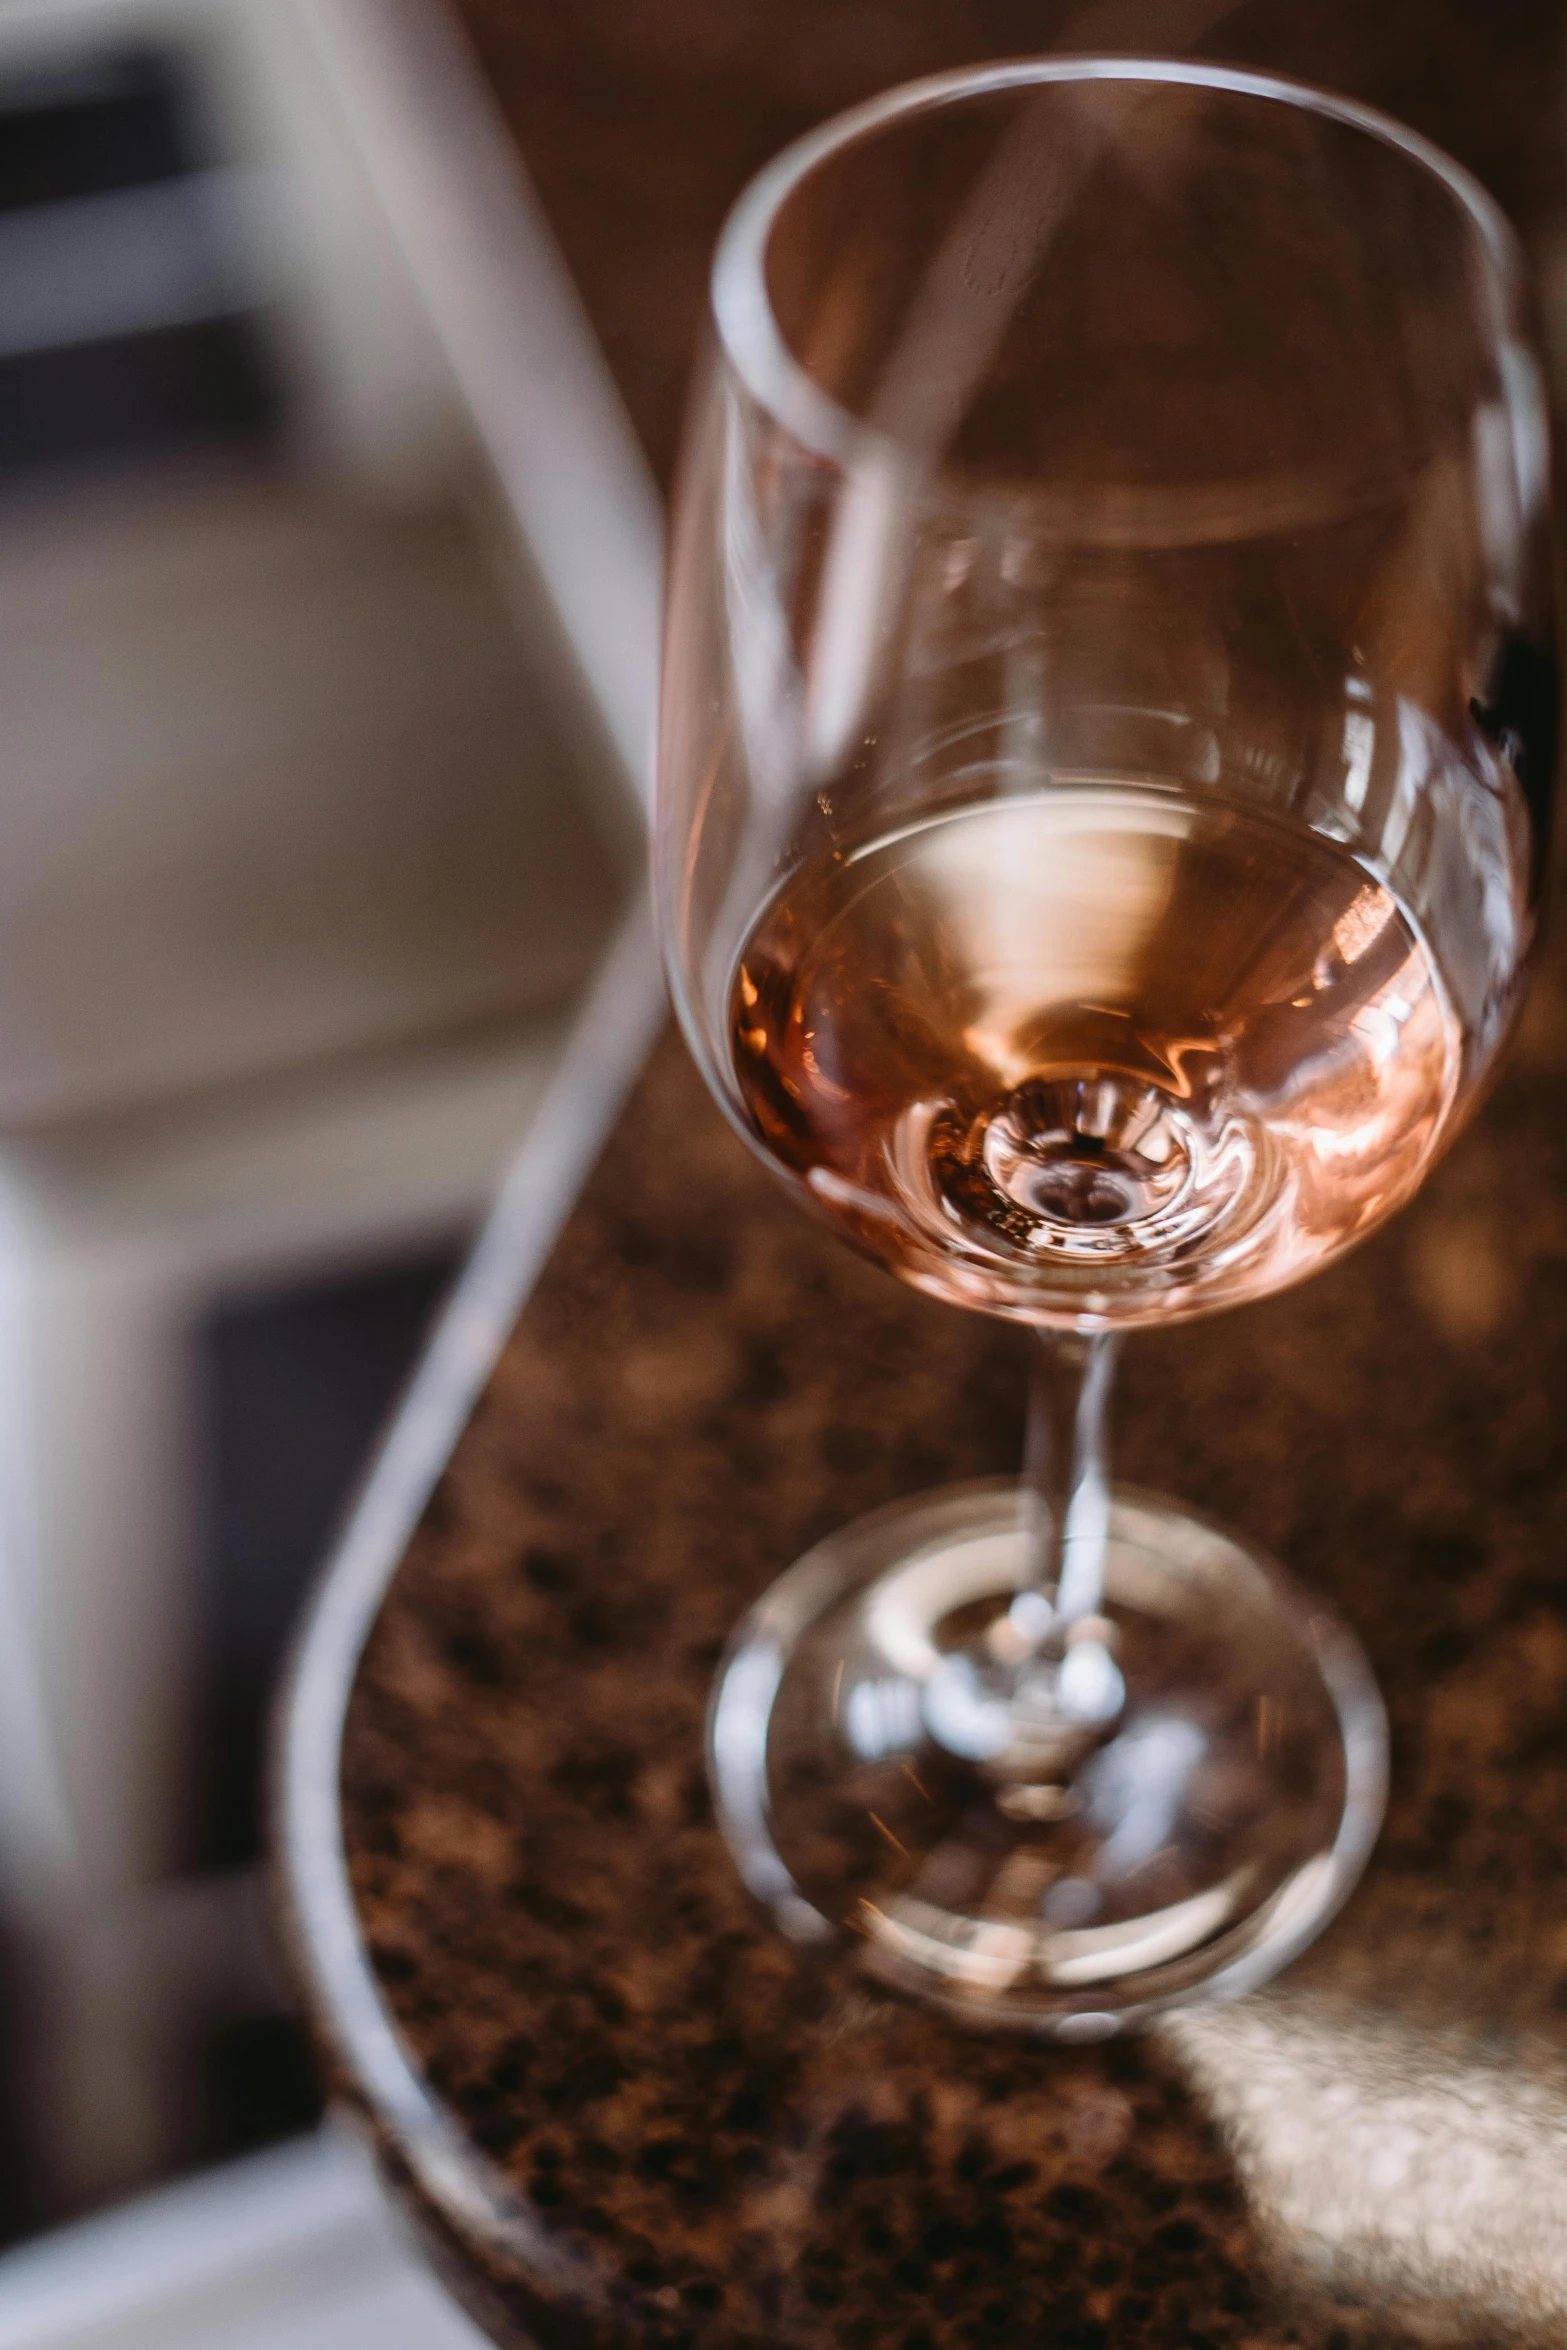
(892,1764)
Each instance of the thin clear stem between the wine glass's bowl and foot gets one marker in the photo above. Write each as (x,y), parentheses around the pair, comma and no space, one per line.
(1065,1475)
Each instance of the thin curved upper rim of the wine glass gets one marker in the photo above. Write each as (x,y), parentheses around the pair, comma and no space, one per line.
(739,295)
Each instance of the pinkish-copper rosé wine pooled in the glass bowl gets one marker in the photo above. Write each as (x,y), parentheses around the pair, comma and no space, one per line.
(1098,1054)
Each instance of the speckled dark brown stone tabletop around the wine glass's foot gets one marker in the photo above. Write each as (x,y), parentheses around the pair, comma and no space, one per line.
(704,2140)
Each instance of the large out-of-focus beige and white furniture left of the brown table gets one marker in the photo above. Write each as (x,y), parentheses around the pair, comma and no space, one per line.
(307,857)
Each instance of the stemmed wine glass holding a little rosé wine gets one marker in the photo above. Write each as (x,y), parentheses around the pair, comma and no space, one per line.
(1105,763)
